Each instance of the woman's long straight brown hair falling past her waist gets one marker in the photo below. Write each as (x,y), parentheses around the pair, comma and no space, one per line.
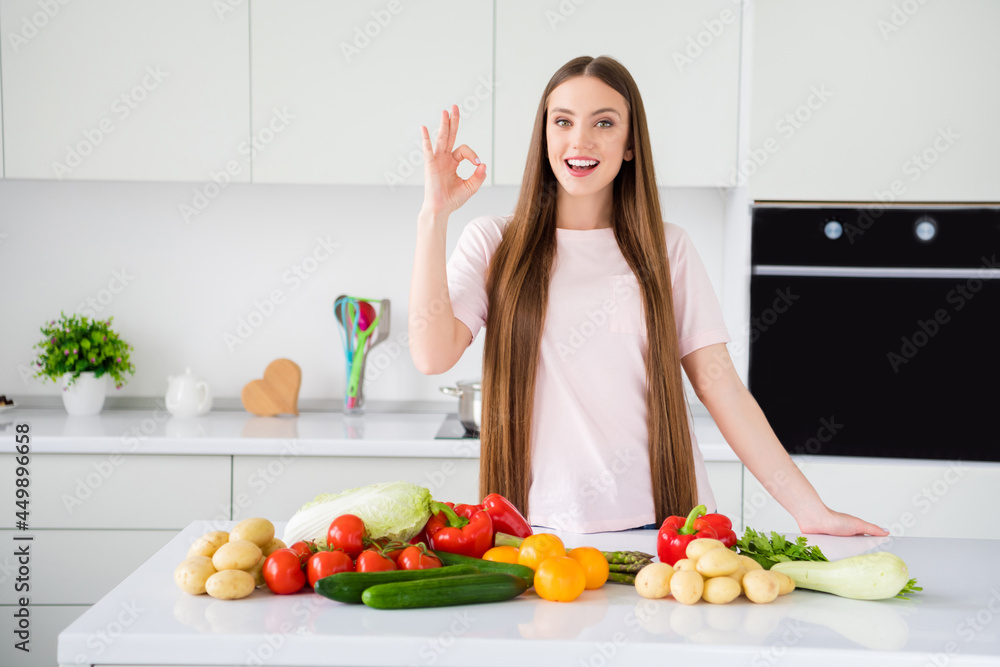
(517,288)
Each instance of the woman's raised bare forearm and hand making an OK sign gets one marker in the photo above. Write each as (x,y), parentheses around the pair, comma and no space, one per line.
(436,338)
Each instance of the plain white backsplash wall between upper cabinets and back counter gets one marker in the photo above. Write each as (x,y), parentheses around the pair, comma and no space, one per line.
(187,284)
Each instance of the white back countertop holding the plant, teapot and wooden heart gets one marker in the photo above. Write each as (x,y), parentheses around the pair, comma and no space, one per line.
(237,432)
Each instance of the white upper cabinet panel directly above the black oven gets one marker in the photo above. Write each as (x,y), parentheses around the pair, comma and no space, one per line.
(875,100)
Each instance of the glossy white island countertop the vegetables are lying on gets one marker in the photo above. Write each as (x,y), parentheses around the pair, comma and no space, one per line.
(146,620)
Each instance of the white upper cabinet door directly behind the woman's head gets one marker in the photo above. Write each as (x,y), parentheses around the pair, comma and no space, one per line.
(683,55)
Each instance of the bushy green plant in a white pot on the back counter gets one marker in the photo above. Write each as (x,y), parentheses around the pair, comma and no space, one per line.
(82,354)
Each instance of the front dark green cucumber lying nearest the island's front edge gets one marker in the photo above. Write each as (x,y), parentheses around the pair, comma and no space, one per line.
(445,591)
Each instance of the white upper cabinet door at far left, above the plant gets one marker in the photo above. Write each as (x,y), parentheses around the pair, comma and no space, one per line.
(123,90)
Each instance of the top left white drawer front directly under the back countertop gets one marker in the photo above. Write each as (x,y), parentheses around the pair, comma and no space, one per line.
(121,491)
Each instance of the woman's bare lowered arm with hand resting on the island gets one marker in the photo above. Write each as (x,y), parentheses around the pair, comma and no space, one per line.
(745,428)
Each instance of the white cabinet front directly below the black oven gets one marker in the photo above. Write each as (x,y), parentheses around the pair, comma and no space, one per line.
(911,498)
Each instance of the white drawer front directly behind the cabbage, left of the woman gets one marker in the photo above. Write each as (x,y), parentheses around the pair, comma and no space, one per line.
(276,487)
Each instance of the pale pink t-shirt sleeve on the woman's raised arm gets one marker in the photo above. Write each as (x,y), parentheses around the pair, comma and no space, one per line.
(466,270)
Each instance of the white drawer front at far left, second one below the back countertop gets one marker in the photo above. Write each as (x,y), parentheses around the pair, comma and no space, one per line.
(78,566)
